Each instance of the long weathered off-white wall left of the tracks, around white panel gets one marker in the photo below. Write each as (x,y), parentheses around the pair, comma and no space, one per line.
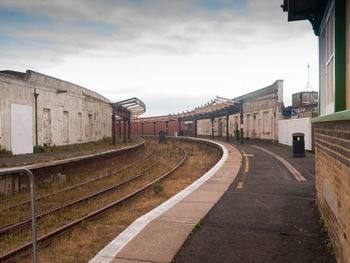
(67,113)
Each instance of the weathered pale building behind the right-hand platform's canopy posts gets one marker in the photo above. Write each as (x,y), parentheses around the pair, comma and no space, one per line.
(261,111)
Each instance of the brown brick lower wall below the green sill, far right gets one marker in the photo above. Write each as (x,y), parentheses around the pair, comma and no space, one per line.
(332,155)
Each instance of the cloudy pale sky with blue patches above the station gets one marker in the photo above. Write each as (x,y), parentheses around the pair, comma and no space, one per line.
(174,55)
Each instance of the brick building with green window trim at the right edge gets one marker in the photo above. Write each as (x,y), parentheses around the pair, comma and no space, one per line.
(331,23)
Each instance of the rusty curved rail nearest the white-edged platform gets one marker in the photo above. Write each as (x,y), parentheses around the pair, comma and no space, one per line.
(13,254)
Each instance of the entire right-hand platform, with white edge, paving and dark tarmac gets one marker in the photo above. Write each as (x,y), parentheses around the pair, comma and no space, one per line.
(256,205)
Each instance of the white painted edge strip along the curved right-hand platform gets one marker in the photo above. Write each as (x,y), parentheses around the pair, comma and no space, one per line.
(115,246)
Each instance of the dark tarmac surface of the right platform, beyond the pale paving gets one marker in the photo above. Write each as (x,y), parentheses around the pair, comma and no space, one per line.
(266,215)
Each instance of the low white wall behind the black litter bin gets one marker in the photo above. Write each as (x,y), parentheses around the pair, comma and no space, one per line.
(287,127)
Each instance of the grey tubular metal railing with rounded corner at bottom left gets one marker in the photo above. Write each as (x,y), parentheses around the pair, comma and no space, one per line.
(32,198)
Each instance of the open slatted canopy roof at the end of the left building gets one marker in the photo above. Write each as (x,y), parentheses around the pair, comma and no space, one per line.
(129,108)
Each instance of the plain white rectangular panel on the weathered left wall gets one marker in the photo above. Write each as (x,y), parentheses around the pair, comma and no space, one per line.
(21,129)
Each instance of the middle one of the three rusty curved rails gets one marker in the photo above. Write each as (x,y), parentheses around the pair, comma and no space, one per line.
(24,222)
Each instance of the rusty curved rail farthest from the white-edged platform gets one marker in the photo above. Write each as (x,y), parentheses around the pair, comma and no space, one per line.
(69,188)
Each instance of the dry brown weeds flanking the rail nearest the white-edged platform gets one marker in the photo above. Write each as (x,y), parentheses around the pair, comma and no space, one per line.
(83,243)
